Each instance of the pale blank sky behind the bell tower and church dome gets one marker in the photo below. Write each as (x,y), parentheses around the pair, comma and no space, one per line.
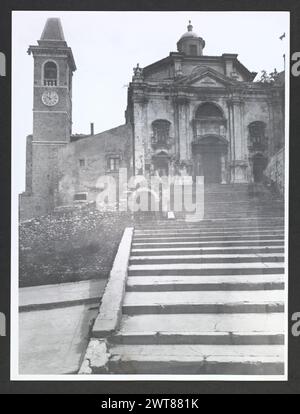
(107,45)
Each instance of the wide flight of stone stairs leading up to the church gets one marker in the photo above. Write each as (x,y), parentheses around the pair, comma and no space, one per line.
(206,298)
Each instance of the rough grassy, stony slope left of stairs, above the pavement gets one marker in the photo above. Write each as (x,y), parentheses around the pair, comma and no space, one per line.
(69,246)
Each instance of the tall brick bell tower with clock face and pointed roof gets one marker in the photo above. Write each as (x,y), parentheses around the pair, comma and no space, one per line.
(52,114)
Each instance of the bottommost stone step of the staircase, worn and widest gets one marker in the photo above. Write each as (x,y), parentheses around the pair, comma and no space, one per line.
(197,359)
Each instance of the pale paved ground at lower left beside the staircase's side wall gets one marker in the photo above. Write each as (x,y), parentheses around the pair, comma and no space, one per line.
(53,340)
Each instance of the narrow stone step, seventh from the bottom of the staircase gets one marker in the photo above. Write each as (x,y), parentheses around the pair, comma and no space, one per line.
(207,251)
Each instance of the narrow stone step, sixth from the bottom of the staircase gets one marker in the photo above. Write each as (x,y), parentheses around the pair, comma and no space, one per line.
(212,258)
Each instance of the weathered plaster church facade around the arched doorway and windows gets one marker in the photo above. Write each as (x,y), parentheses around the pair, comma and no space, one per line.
(240,108)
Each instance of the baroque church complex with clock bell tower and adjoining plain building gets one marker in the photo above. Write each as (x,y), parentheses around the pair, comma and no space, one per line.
(187,114)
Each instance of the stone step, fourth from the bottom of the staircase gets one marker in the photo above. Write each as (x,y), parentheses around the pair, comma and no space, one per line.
(204,283)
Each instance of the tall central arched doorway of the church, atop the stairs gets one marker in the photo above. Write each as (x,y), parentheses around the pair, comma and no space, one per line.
(209,158)
